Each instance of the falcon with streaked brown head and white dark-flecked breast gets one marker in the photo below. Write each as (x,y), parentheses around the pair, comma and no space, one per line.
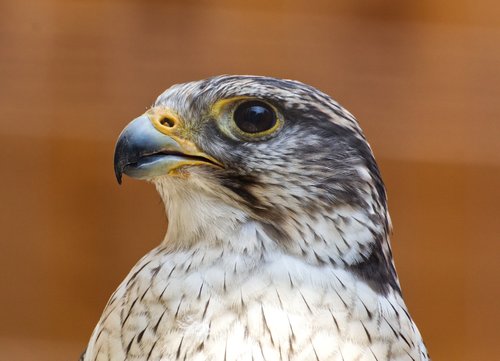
(277,245)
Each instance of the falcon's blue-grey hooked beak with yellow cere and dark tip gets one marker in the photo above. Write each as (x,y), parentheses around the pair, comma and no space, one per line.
(149,147)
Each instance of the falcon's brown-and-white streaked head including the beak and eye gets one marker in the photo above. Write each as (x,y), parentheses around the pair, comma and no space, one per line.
(234,149)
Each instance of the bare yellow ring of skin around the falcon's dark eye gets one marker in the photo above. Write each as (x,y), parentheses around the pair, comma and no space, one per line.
(223,111)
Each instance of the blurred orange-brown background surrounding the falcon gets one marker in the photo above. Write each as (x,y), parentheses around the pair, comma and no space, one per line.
(421,76)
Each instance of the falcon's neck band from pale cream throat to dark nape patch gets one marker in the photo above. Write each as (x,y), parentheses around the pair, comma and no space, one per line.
(344,237)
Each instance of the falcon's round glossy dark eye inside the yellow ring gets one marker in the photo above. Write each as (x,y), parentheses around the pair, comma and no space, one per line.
(254,117)
